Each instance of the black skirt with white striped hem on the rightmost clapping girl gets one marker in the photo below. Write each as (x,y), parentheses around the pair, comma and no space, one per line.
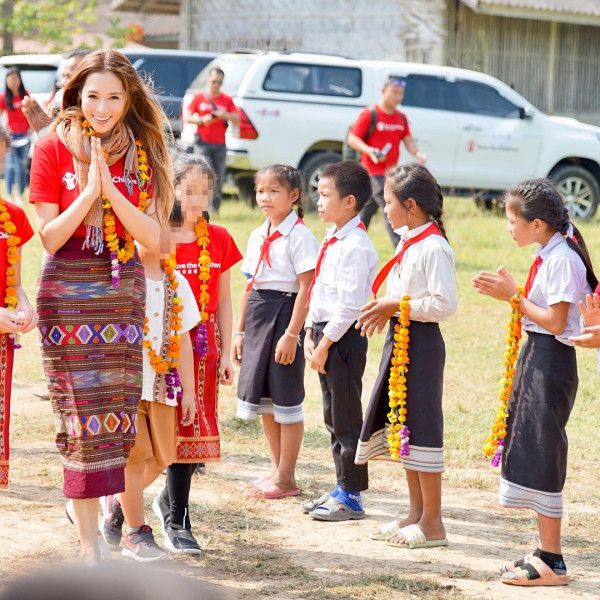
(534,461)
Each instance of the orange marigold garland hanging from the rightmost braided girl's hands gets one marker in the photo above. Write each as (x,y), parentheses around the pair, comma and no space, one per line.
(494,444)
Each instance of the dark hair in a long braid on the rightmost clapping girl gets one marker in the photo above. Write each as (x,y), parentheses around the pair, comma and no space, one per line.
(539,199)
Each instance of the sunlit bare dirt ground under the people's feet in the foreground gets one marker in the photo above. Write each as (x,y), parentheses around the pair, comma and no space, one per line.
(269,549)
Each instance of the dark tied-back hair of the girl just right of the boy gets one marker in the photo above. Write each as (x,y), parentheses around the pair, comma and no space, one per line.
(415,181)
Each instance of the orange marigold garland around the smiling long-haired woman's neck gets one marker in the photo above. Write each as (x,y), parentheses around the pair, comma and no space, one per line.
(122,255)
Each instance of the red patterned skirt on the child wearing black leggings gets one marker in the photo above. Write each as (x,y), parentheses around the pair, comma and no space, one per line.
(200,441)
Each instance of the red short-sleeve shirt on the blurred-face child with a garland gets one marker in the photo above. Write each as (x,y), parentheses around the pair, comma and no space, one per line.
(223,255)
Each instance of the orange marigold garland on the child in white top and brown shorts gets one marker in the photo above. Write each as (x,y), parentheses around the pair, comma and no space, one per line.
(167,365)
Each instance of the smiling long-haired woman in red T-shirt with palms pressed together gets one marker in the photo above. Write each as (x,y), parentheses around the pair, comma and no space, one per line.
(101,178)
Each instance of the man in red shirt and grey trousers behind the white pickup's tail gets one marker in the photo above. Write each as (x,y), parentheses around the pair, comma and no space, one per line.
(211,111)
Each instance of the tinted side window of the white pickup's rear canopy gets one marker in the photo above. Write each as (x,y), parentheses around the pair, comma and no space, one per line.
(319,80)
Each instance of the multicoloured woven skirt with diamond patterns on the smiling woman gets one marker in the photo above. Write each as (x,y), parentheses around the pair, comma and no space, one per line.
(91,342)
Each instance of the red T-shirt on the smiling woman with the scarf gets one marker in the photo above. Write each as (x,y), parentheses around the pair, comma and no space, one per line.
(53,179)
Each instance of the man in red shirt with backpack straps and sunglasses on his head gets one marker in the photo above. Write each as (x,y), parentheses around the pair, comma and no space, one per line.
(382,148)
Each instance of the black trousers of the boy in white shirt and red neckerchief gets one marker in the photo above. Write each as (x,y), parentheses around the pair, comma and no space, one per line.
(342,410)
